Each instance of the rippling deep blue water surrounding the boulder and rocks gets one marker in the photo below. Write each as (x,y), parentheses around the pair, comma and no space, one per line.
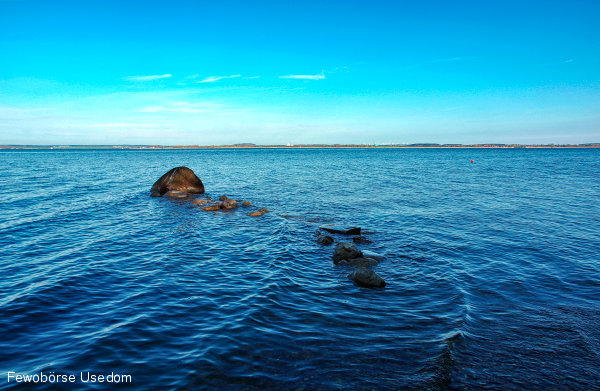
(493,270)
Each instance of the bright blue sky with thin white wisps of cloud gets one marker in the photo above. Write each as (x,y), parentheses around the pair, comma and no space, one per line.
(193,72)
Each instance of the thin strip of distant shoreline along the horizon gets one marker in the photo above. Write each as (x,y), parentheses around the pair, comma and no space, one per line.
(303,146)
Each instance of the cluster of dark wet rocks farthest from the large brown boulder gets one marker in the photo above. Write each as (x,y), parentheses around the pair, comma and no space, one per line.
(347,253)
